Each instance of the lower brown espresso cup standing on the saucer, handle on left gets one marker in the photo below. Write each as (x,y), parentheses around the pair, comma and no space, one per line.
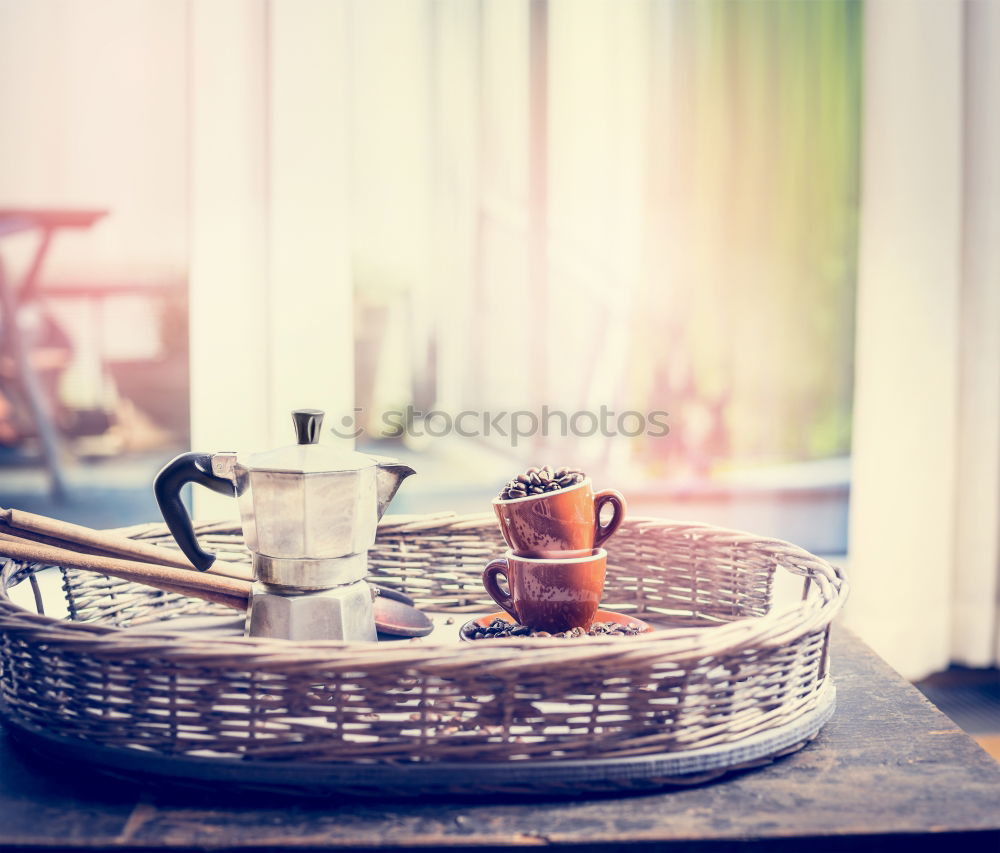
(549,595)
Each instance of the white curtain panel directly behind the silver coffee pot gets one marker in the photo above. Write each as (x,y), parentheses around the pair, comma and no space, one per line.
(270,288)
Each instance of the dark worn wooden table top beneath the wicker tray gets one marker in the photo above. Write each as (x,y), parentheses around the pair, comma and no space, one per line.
(888,772)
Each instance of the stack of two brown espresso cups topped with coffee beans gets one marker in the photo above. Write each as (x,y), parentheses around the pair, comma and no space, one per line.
(555,566)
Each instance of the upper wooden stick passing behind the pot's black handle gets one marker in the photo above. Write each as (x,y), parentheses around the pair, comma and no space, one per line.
(75,537)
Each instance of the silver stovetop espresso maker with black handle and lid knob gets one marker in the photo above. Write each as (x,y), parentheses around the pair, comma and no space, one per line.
(309,514)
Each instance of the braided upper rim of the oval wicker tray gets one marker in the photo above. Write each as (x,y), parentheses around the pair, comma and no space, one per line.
(667,644)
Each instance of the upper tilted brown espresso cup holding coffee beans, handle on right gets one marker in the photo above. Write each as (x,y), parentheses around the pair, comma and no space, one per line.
(563,523)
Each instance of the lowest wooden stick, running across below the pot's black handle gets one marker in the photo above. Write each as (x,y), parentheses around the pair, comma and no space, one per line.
(229,591)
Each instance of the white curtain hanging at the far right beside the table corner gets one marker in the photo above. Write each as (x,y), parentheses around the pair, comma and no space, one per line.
(925,507)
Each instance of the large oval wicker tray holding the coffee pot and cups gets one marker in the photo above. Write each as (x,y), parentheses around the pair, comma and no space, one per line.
(736,678)
